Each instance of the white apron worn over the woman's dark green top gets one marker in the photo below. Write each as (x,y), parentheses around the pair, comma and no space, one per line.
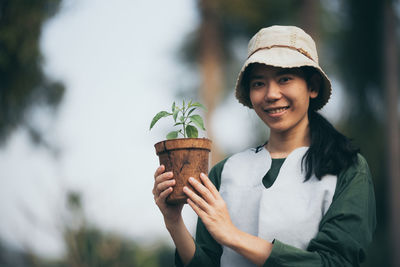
(289,211)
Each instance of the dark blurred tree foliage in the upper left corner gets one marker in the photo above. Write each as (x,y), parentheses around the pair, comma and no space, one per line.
(23,84)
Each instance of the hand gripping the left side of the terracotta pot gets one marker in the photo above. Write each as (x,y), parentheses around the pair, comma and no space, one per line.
(163,183)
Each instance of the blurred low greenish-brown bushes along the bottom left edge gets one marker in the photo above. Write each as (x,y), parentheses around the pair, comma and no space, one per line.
(87,246)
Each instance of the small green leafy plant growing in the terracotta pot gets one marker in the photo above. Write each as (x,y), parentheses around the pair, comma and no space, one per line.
(183,116)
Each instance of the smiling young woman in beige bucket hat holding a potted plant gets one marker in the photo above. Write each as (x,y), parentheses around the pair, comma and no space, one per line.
(304,198)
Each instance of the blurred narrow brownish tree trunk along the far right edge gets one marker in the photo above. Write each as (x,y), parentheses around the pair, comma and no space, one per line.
(393,135)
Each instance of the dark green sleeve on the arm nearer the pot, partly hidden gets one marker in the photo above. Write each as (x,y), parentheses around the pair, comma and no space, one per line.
(208,252)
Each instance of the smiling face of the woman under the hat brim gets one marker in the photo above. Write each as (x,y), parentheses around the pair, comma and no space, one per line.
(280,97)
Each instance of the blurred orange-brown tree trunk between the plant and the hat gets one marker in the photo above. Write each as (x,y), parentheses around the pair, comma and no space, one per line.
(211,66)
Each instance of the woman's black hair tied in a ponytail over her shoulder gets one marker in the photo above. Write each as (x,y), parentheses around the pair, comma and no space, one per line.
(330,152)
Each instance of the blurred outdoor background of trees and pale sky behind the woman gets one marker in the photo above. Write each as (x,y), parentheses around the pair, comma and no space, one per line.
(81,80)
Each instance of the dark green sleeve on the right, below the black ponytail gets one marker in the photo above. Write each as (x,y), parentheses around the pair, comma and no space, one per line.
(344,232)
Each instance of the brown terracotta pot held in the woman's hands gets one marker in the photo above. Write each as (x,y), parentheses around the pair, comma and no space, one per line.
(185,157)
